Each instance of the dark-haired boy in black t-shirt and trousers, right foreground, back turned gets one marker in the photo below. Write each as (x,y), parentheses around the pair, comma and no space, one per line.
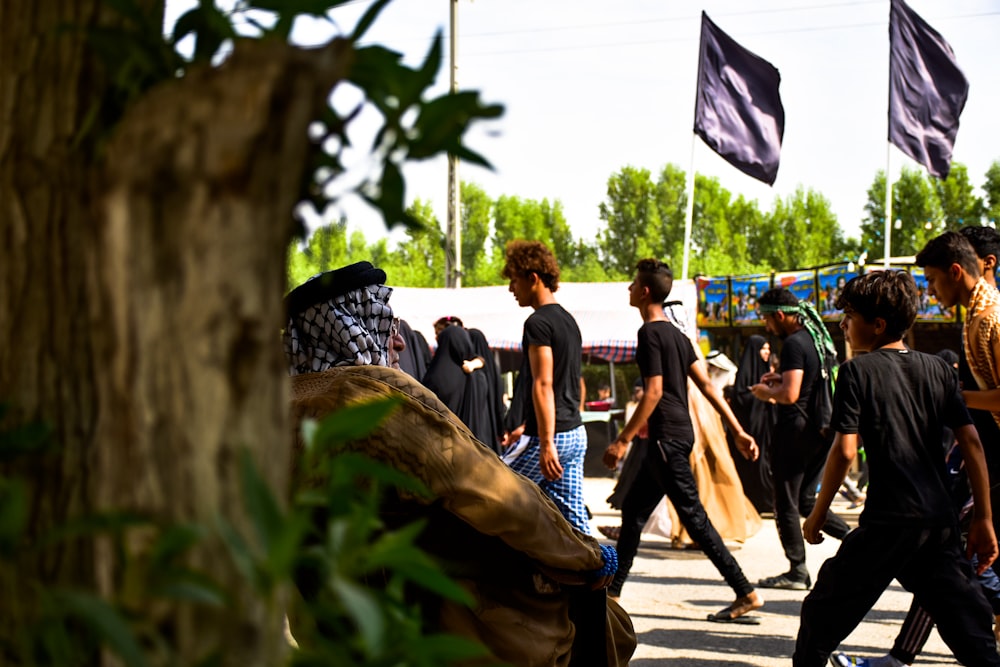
(898,401)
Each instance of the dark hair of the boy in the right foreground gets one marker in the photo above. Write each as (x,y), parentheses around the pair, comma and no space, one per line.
(891,295)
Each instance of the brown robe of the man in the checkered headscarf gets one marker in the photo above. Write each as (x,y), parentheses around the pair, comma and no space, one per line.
(496,531)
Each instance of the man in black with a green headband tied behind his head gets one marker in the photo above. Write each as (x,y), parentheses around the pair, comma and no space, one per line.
(798,450)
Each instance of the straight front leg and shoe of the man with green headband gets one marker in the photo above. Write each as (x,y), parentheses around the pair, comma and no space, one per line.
(788,468)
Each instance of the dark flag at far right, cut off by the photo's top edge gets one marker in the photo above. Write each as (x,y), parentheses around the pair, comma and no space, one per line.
(927,91)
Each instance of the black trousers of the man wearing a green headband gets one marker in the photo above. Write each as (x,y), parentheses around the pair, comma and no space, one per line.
(797,462)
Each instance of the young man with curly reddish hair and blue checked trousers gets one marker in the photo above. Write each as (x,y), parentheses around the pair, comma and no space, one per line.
(551,448)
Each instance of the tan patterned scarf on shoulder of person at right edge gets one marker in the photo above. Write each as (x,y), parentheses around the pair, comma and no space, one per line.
(981,337)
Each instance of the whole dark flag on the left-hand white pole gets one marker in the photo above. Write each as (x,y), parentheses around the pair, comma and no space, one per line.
(738,110)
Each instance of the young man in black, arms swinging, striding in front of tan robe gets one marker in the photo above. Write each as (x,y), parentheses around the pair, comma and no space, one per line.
(666,359)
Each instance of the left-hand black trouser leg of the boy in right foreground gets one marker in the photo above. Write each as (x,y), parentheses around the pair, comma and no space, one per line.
(847,587)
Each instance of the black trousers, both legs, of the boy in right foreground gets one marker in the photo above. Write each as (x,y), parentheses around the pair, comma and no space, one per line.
(928,562)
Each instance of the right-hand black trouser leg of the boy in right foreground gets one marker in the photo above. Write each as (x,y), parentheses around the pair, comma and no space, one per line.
(942,581)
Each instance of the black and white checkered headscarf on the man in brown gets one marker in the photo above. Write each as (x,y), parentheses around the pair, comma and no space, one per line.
(348,329)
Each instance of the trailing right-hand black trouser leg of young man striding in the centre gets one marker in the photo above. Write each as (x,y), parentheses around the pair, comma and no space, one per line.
(678,482)
